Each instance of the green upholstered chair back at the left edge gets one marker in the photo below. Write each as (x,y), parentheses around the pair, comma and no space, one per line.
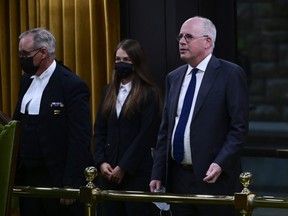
(9,143)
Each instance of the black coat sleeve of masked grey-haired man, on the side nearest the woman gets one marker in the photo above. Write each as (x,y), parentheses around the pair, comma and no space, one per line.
(78,123)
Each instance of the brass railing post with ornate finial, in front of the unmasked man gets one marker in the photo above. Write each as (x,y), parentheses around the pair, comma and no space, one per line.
(242,200)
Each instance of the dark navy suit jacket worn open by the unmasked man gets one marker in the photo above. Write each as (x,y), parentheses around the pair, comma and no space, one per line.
(218,129)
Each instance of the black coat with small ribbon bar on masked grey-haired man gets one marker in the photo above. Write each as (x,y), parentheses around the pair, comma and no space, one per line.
(64,126)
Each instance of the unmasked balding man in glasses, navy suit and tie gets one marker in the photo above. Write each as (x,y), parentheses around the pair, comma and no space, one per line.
(215,128)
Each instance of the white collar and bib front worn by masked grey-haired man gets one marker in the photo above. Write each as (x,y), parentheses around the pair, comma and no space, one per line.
(32,98)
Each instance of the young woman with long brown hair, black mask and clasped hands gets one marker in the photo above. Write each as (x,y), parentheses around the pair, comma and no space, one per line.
(126,129)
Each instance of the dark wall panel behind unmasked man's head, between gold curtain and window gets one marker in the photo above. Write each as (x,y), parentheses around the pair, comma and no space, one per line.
(156,23)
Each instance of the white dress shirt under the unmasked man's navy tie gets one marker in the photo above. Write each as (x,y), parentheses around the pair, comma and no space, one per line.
(187,159)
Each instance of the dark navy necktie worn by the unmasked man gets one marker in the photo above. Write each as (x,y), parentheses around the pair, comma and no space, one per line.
(178,143)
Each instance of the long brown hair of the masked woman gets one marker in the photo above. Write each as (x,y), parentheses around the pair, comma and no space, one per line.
(141,82)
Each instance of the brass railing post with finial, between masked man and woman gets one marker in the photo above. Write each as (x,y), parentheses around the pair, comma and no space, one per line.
(87,193)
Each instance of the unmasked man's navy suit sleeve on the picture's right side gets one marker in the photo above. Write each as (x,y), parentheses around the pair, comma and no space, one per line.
(238,109)
